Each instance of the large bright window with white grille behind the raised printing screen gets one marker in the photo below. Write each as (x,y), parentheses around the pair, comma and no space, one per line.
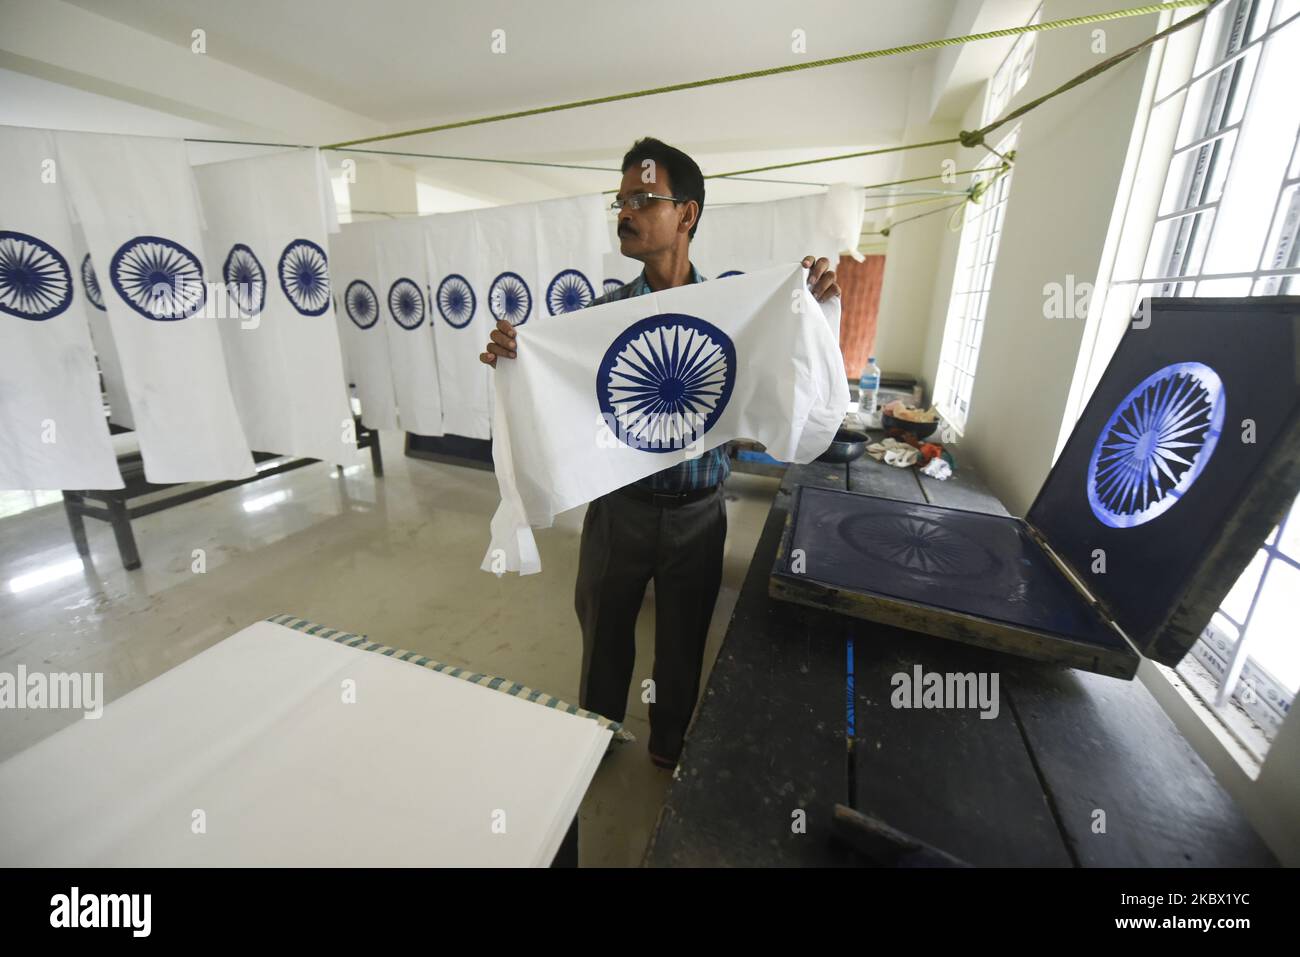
(1228,226)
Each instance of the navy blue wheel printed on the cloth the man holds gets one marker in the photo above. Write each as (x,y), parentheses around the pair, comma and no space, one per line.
(665,382)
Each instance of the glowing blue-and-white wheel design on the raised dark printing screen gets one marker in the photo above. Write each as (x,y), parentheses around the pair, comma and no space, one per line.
(1156,444)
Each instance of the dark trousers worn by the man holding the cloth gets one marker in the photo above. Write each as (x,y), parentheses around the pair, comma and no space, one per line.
(625,545)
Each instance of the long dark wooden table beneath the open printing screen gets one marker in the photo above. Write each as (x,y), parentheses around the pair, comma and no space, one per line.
(770,738)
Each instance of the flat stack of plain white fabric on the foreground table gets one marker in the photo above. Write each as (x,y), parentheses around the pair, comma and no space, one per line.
(253,754)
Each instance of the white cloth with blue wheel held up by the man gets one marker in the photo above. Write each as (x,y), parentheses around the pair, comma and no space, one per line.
(622,391)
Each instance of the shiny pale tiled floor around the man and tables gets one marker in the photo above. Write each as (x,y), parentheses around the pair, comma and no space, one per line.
(395,558)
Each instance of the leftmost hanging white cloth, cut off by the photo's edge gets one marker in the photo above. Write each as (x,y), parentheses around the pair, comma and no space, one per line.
(53,428)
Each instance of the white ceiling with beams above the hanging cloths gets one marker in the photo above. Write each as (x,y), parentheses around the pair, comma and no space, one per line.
(330,71)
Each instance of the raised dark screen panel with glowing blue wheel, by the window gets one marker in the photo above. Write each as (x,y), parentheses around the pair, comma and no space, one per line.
(1164,449)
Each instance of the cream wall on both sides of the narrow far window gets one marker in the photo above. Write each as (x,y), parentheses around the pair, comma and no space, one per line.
(1071,161)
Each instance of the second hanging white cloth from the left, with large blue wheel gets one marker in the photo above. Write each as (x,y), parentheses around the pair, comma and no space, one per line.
(137,203)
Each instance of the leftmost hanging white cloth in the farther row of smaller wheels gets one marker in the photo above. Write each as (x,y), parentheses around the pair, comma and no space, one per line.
(362,319)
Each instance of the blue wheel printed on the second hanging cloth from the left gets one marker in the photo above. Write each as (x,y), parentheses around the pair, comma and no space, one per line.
(158,278)
